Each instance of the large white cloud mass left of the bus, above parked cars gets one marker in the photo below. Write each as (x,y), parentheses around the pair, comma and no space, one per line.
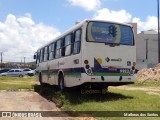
(21,37)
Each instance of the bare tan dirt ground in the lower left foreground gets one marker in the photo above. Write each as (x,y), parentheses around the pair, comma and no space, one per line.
(30,101)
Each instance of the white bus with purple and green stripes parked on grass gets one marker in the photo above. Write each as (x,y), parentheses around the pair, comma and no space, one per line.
(91,52)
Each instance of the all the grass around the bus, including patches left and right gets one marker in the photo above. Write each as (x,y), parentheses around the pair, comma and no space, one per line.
(74,100)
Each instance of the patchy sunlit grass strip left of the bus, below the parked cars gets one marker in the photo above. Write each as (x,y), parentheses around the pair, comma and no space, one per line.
(14,83)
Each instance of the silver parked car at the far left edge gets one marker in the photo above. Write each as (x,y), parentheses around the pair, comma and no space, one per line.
(13,73)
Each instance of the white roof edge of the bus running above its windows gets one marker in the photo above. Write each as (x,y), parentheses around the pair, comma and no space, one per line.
(76,26)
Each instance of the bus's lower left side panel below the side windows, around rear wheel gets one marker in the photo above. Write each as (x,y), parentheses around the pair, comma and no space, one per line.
(70,67)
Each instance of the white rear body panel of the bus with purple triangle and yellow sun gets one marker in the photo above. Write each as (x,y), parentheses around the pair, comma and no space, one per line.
(109,64)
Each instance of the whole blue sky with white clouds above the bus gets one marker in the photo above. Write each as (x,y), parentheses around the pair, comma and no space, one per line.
(26,25)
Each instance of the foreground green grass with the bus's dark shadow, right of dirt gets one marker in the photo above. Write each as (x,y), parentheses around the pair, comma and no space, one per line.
(114,100)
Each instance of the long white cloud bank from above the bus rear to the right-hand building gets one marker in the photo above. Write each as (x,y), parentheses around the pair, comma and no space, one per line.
(125,17)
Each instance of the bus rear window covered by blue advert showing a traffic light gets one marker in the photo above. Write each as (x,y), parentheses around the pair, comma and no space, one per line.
(110,33)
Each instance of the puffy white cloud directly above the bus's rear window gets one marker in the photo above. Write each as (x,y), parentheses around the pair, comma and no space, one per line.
(110,15)
